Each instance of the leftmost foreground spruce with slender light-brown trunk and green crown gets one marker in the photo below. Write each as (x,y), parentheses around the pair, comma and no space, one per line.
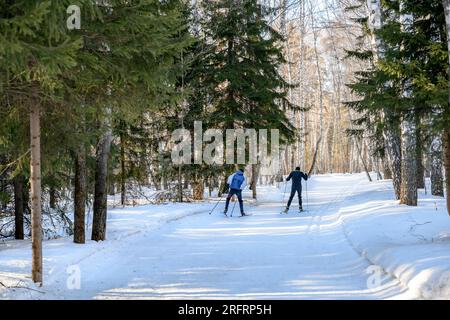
(35,50)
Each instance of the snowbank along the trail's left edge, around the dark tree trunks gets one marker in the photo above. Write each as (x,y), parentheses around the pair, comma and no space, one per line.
(61,253)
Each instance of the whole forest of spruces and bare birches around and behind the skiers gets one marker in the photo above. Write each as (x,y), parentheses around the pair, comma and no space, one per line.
(92,91)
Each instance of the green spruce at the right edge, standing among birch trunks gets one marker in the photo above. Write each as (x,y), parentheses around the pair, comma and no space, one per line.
(407,84)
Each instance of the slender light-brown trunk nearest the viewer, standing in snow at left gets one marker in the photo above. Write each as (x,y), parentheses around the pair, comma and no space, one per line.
(35,182)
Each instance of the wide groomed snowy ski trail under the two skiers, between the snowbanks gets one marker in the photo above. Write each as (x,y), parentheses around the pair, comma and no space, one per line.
(264,256)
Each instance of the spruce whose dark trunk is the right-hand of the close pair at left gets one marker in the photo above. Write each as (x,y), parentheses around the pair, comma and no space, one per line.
(137,42)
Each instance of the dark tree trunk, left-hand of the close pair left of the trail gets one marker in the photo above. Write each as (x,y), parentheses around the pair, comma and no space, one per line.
(79,235)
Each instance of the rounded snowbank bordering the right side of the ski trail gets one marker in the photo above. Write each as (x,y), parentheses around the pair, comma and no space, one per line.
(410,243)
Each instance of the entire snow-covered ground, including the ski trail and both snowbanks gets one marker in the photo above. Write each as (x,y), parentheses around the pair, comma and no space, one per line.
(352,230)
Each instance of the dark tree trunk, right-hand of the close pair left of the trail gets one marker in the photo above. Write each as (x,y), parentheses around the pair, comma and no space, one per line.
(100,192)
